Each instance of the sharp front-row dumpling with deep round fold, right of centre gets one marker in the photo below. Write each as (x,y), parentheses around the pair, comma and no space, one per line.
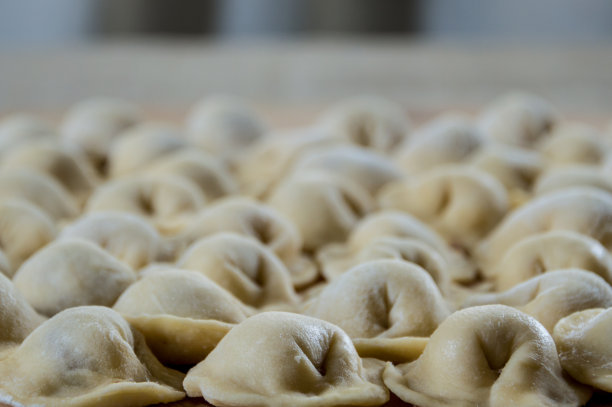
(490,356)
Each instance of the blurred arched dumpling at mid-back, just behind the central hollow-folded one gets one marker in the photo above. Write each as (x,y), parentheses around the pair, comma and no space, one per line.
(364,167)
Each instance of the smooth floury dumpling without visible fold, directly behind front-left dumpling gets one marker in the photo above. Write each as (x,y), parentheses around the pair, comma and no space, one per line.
(69,273)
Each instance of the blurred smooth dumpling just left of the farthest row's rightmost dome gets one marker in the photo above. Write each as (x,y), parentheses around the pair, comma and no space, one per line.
(449,139)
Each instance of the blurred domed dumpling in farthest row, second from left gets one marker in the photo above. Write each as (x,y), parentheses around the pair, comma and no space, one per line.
(92,124)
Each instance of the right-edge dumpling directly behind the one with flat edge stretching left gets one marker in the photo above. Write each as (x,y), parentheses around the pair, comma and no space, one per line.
(554,250)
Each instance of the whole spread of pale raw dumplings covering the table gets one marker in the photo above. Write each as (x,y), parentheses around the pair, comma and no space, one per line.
(464,261)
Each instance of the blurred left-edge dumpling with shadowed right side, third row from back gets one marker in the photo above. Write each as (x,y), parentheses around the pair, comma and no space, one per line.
(68,168)
